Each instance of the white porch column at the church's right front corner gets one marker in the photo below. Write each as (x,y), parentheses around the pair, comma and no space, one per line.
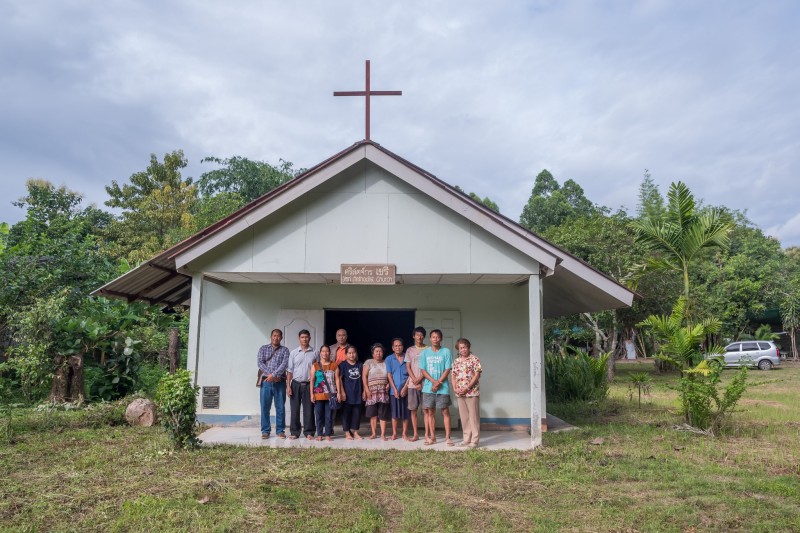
(537,358)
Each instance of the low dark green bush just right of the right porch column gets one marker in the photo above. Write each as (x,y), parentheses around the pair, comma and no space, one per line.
(575,377)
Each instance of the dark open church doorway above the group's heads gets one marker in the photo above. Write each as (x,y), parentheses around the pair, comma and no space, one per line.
(368,326)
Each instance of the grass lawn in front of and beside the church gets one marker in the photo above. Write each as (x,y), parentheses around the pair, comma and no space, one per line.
(69,471)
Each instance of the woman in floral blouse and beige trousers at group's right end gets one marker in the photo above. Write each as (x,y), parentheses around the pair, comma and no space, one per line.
(464,380)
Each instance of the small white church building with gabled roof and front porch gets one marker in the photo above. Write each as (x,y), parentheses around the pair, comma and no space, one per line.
(369,242)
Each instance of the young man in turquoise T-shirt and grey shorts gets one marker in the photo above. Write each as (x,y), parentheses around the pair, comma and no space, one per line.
(435,363)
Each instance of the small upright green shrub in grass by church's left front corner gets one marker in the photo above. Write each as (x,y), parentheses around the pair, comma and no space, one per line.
(177,405)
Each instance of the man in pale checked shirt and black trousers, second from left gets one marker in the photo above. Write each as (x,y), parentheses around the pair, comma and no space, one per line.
(299,389)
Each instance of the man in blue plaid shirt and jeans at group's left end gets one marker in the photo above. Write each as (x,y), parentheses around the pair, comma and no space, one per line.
(272,361)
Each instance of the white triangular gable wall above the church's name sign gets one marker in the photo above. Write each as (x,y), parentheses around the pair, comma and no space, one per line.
(365,215)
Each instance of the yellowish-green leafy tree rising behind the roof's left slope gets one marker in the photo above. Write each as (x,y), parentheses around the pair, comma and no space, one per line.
(156,209)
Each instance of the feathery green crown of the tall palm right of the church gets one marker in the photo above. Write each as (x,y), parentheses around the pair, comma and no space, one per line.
(681,234)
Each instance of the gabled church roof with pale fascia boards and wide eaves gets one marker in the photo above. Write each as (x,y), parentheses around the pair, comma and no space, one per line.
(165,278)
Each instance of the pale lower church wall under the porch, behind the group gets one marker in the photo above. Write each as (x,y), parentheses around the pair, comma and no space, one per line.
(237,319)
